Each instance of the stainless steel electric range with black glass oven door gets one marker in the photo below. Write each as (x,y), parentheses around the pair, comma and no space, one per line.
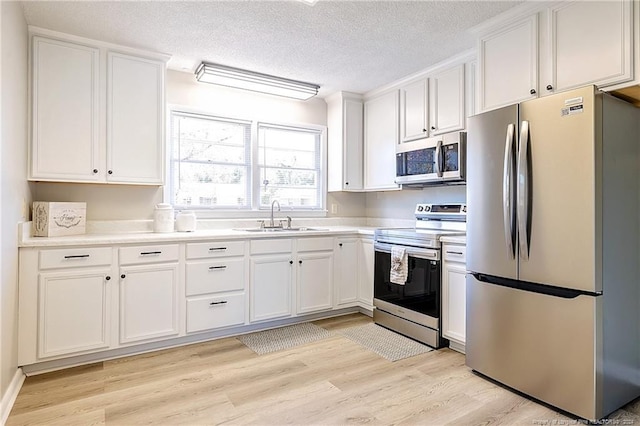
(413,308)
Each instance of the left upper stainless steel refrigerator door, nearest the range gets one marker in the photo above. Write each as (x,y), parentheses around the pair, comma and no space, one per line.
(491,234)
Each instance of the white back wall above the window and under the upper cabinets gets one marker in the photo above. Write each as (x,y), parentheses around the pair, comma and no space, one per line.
(121,202)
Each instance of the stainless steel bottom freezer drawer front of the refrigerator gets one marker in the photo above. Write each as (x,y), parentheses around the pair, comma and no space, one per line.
(543,346)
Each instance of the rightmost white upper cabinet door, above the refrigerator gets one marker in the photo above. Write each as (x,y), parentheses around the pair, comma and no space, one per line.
(591,43)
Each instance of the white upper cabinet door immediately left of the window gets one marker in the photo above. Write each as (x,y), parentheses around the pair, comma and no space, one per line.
(135,108)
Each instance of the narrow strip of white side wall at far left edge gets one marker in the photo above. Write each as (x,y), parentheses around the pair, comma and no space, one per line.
(14,189)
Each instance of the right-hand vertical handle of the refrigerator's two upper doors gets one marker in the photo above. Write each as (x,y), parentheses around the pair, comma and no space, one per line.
(523,191)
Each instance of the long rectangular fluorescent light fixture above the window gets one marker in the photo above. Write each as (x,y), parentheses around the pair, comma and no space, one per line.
(257,82)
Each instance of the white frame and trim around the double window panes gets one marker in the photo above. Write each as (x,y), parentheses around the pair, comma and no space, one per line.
(254,210)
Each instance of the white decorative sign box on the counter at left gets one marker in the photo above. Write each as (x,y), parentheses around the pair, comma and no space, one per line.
(56,219)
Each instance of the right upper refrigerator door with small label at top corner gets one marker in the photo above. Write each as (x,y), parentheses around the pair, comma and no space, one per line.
(556,190)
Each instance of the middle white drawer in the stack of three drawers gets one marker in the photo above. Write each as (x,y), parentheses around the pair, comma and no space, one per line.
(215,276)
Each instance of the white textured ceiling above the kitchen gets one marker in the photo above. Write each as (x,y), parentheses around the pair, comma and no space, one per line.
(355,46)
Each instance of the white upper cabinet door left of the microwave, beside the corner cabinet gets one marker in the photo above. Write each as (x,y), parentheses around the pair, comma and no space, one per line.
(381,138)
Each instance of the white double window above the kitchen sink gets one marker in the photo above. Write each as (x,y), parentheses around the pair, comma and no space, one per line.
(225,164)
